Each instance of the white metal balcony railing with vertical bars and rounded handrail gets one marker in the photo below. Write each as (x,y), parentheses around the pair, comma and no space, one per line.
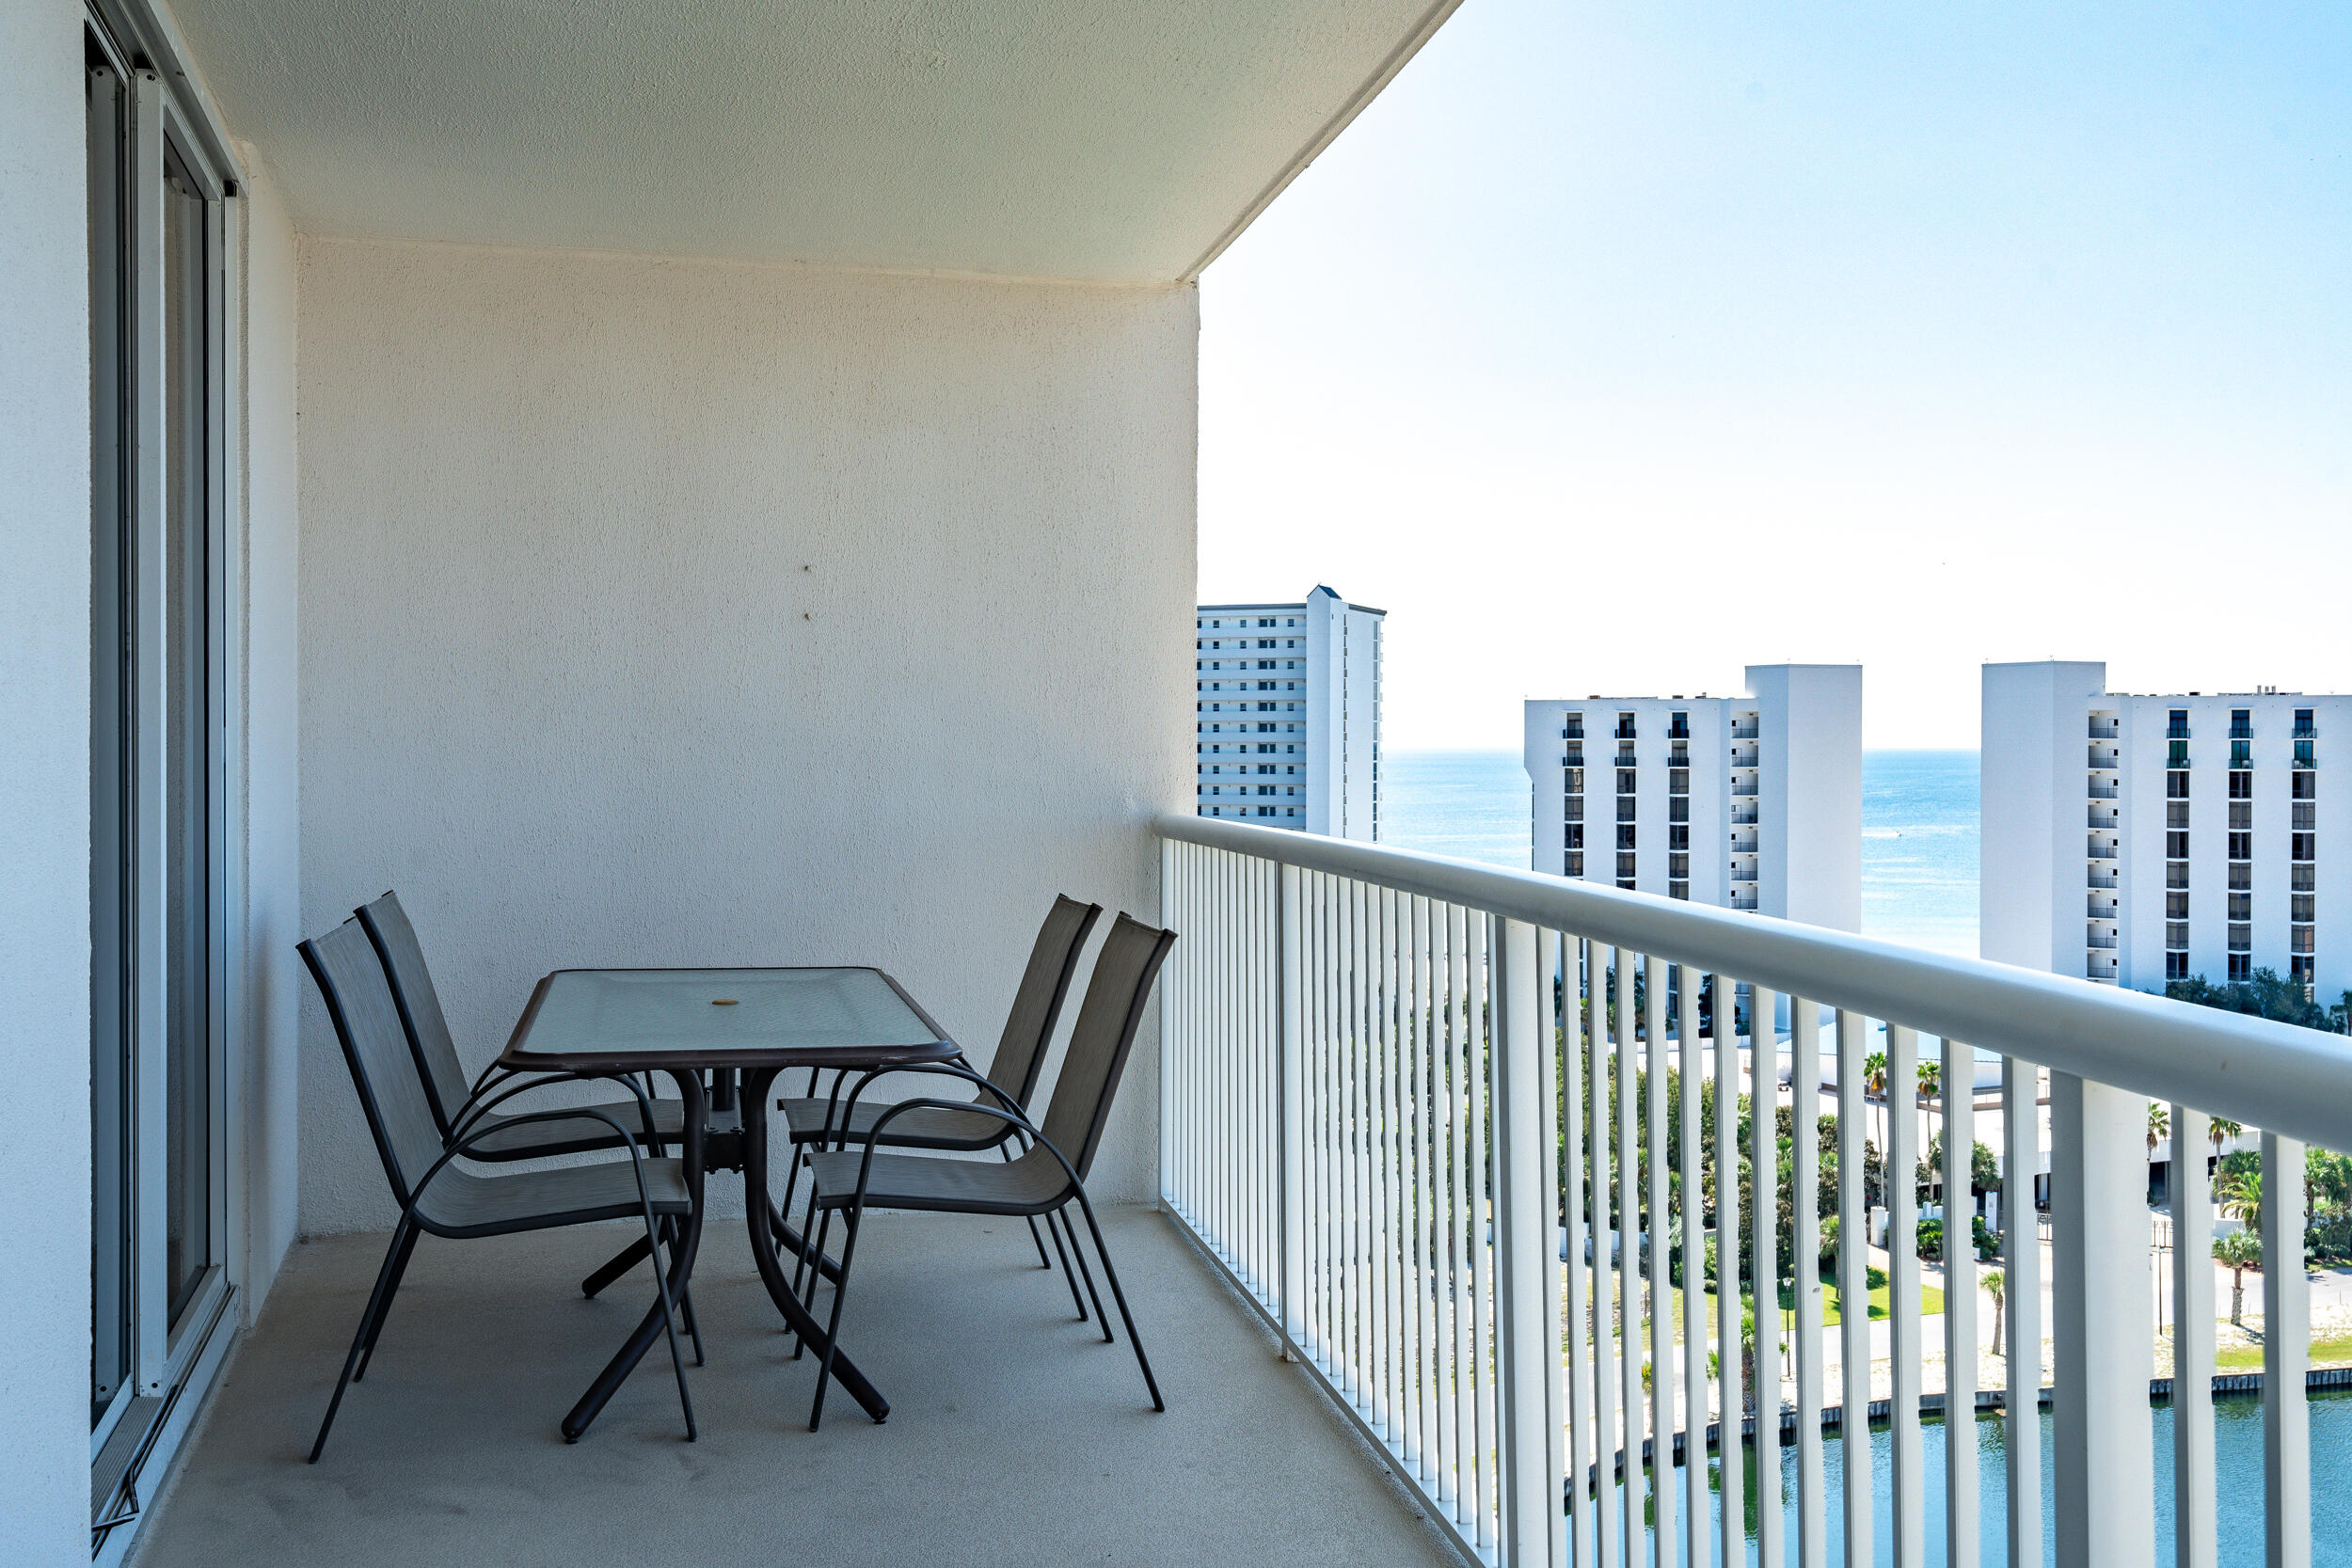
(1398,1094)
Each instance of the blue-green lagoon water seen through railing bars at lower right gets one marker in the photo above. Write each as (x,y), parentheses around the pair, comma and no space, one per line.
(2238,1449)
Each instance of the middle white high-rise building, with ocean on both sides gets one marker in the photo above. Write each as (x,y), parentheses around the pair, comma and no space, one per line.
(1749,803)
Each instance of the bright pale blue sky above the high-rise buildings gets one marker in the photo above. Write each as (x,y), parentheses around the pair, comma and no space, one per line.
(1619,347)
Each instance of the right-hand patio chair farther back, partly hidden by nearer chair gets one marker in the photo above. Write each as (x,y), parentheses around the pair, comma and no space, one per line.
(1013,1076)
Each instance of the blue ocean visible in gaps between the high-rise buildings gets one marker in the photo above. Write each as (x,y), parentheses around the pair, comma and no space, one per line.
(1920,831)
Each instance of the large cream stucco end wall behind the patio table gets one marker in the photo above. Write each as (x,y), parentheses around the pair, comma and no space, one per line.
(669,612)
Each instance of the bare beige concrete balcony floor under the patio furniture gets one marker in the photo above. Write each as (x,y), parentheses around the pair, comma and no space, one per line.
(1015,1435)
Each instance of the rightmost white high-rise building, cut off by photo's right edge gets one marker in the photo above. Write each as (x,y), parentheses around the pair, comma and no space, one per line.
(2139,840)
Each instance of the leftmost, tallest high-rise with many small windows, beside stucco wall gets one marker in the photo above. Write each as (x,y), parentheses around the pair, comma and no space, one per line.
(1288,713)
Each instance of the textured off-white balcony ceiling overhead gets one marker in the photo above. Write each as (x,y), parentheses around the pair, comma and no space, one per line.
(1114,140)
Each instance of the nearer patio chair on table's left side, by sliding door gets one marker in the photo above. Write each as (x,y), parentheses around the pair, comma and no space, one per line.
(446,1200)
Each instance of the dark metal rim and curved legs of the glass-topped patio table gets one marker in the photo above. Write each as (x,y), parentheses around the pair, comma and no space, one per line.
(726,1127)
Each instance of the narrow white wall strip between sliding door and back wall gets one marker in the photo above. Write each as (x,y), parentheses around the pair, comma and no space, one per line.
(274,979)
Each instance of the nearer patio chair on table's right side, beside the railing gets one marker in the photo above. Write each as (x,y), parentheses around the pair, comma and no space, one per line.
(1043,1181)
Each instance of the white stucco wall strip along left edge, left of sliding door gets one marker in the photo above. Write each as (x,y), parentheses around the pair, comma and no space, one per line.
(46,786)
